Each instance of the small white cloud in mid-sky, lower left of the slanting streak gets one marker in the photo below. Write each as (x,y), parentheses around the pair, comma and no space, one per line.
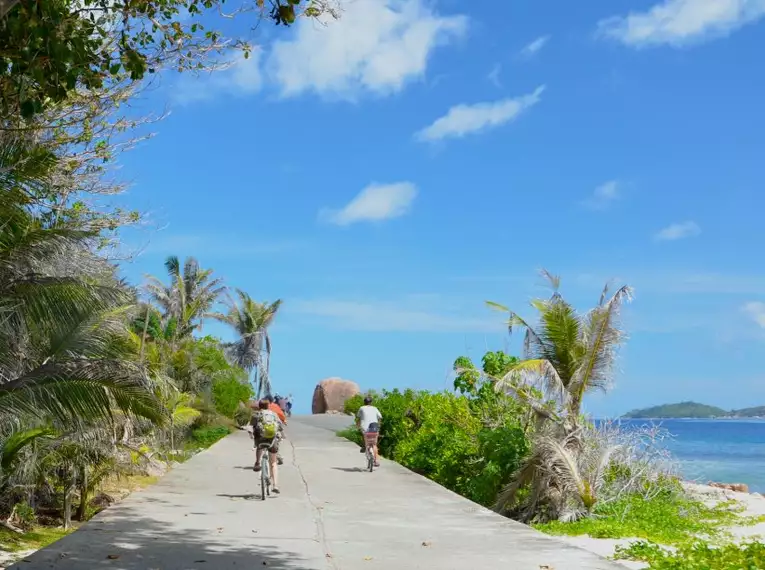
(376,202)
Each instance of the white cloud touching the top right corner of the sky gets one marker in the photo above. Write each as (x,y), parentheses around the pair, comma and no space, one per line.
(680,22)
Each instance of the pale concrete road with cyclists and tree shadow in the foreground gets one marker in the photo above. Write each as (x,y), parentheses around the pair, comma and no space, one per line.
(332,515)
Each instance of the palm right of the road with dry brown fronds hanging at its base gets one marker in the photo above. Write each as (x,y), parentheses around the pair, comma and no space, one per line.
(569,354)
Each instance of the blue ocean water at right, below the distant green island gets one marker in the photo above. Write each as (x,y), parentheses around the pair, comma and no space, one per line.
(728,451)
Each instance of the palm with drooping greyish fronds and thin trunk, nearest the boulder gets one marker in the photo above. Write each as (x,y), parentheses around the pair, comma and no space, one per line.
(251,320)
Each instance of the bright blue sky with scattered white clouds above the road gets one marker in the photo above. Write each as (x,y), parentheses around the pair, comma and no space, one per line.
(387,173)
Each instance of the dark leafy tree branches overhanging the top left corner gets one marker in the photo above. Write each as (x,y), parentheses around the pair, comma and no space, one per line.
(50,48)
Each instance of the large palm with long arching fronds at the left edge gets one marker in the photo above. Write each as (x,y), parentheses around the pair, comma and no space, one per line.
(64,347)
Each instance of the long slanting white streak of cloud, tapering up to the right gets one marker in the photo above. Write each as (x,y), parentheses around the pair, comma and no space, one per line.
(464,119)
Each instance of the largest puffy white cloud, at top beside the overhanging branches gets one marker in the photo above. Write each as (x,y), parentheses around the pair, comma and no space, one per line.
(375,46)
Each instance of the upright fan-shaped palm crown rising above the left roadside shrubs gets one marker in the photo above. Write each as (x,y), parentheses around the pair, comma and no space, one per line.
(188,298)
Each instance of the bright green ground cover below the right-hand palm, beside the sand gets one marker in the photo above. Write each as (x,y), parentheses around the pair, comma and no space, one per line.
(671,518)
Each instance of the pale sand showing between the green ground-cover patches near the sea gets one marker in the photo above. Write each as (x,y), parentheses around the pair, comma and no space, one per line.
(754,505)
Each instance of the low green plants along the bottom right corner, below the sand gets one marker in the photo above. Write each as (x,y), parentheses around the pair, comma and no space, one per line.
(697,556)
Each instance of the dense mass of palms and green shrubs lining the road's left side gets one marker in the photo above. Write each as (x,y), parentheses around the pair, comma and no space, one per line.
(95,384)
